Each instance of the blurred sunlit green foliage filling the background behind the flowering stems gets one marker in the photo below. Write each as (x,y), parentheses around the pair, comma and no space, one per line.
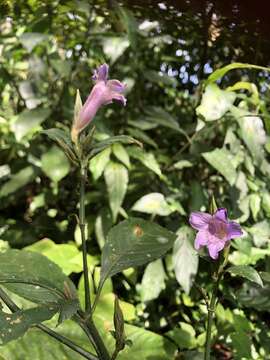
(200,138)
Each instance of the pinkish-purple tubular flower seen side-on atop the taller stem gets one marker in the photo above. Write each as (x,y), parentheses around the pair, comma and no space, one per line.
(103,93)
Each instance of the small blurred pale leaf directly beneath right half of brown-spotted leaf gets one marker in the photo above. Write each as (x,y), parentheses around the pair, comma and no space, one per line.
(153,281)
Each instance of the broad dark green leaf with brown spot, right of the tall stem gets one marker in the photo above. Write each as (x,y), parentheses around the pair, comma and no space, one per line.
(133,242)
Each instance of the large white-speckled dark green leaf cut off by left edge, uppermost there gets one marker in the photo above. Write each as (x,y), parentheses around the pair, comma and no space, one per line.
(34,277)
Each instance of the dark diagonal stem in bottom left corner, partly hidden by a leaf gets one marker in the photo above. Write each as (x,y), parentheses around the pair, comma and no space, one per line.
(13,307)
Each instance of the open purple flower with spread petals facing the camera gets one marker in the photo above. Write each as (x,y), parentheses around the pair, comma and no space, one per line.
(215,231)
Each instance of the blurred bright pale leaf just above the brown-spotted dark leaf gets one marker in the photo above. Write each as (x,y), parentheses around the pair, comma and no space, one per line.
(153,203)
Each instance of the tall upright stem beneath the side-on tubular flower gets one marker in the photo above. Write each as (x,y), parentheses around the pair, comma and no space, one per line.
(83,237)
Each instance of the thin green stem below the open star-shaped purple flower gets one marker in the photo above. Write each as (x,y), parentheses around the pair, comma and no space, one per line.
(210,317)
